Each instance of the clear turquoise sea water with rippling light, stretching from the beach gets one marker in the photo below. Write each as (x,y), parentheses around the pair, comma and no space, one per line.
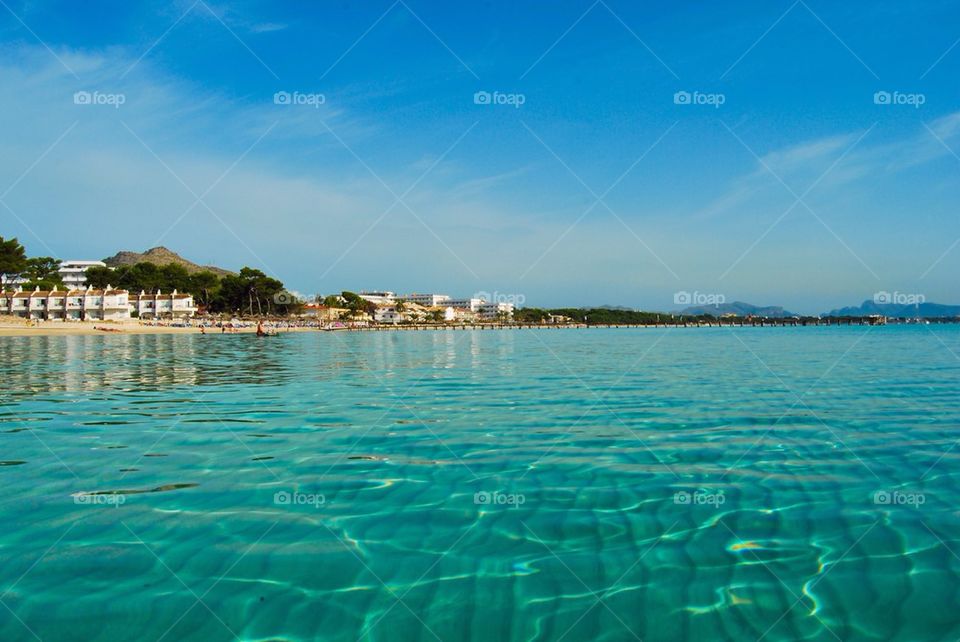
(680,484)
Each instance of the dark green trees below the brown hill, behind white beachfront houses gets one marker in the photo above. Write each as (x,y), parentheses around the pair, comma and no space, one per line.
(249,292)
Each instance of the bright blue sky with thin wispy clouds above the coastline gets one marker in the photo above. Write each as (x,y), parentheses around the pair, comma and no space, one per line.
(795,153)
